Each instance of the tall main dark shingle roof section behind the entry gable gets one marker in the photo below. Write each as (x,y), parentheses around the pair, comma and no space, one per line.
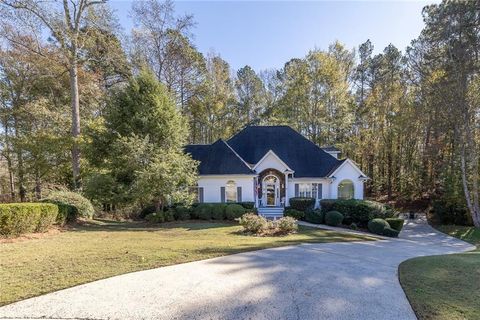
(299,153)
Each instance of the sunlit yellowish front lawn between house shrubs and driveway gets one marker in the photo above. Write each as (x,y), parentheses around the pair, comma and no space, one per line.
(103,249)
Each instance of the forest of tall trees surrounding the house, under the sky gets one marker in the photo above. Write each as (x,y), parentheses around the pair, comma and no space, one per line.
(409,119)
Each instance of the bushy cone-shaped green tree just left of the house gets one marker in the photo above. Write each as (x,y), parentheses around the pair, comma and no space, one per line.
(140,144)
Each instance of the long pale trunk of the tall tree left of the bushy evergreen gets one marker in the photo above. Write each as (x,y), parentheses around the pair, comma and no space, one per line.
(75,103)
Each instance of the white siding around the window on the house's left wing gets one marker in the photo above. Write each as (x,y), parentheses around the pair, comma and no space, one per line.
(211,187)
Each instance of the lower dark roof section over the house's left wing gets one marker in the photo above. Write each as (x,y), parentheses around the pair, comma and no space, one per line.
(217,158)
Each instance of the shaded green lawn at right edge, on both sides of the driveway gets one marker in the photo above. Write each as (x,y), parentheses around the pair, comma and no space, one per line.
(448,286)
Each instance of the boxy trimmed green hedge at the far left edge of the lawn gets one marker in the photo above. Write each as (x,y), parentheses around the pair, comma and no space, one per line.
(19,218)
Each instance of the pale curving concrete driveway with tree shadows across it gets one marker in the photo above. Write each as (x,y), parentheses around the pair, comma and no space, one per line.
(356,280)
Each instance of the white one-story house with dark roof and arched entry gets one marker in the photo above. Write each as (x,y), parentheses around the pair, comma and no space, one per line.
(268,165)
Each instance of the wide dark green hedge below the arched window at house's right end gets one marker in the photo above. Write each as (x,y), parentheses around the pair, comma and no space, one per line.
(358,211)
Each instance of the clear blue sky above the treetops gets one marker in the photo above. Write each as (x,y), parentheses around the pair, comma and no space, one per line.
(268,34)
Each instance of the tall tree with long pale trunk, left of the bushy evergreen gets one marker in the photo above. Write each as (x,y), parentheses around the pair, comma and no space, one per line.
(69,23)
